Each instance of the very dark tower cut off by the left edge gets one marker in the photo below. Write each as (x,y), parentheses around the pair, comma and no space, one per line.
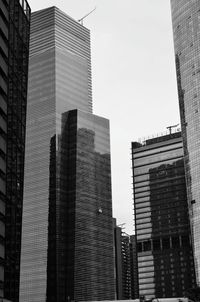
(14,44)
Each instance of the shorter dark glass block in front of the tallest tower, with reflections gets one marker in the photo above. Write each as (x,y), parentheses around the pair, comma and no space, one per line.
(89,230)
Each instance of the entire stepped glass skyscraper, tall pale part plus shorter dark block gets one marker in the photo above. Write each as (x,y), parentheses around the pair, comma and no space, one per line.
(67,232)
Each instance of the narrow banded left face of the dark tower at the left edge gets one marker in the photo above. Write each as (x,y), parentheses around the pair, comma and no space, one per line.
(4,18)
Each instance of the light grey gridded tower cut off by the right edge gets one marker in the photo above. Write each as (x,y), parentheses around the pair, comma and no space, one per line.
(186,25)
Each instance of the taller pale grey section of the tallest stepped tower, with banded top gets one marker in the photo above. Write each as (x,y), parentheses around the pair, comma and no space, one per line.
(59,78)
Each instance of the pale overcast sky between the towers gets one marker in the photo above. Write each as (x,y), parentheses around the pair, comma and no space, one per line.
(133,78)
